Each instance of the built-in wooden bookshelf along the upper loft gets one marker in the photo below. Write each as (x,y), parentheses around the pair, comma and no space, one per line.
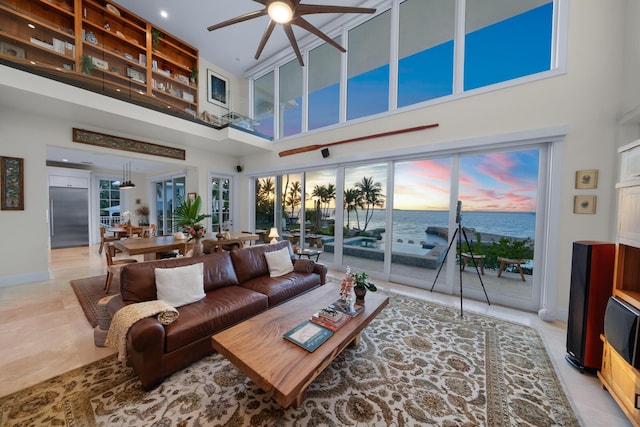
(124,43)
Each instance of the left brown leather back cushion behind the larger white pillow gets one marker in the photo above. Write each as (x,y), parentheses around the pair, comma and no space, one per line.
(138,284)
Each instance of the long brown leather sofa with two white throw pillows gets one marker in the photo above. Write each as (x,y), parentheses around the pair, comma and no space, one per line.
(237,286)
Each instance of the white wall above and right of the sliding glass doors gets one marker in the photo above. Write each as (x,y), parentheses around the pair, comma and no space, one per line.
(586,100)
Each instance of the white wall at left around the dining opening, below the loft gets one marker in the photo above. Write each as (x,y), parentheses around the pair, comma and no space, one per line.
(24,252)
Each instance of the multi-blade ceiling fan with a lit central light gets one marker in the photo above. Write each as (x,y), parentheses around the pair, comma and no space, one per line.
(287,13)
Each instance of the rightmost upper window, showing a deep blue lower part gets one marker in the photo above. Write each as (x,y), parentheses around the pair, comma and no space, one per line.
(506,40)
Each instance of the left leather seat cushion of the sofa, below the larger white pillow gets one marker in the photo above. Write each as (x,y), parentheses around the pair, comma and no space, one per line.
(218,310)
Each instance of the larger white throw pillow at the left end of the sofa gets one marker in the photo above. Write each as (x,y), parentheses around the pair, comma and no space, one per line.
(180,286)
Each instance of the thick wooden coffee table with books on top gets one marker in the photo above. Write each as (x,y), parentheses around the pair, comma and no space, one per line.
(279,367)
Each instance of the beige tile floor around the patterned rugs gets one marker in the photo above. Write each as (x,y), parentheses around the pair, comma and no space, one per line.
(43,332)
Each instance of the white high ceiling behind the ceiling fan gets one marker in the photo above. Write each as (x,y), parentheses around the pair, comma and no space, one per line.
(231,48)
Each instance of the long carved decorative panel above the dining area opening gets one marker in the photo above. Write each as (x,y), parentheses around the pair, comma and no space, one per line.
(118,143)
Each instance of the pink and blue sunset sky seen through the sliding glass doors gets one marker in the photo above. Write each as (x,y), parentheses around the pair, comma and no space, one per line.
(504,181)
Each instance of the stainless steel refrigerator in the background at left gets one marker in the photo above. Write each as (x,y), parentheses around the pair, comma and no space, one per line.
(68,217)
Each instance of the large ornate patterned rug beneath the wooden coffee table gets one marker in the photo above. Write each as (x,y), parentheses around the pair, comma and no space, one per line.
(418,364)
